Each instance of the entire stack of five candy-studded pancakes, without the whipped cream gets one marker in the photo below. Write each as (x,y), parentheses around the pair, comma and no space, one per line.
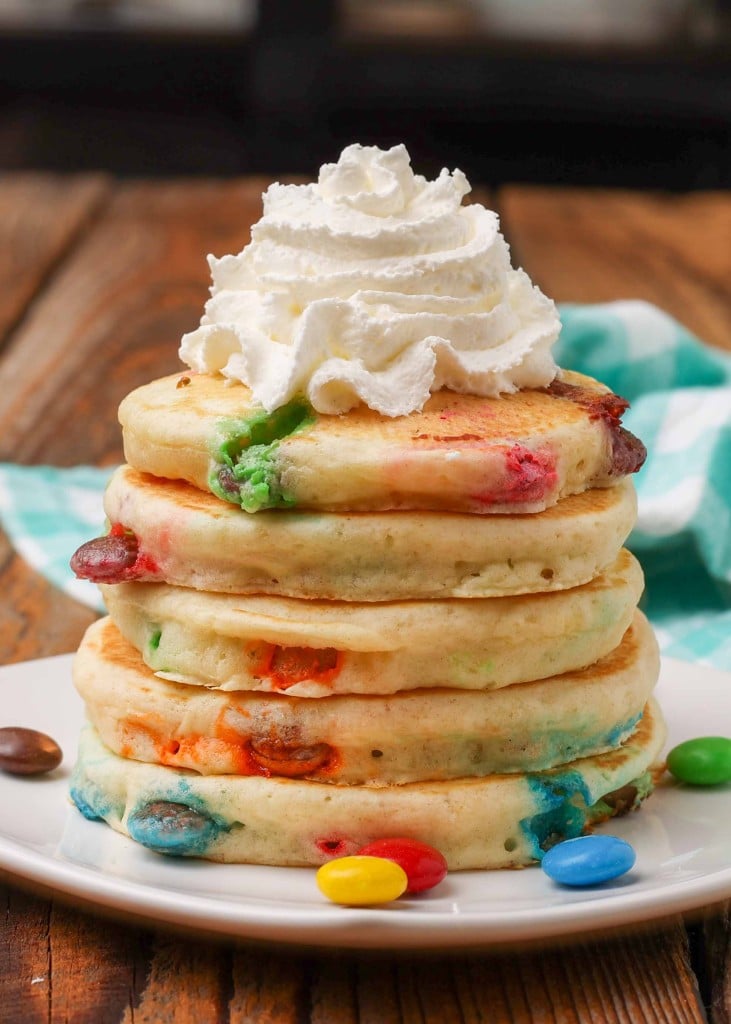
(327,630)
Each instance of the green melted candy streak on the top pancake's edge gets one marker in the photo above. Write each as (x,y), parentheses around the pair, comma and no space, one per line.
(245,467)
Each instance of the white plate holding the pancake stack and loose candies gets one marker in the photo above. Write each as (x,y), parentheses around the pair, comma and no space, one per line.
(682,838)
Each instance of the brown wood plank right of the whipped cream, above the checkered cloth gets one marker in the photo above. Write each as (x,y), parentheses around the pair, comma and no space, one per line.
(583,245)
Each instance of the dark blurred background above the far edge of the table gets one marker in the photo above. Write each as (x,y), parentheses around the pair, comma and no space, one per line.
(612,93)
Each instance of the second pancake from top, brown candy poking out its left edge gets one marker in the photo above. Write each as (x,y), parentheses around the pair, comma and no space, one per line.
(174,533)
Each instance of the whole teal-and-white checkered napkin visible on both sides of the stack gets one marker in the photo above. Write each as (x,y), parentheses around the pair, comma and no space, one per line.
(681,407)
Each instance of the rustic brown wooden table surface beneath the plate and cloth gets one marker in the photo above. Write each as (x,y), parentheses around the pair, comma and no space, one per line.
(99,280)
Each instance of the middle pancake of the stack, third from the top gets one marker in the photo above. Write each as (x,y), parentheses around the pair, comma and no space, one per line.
(317,649)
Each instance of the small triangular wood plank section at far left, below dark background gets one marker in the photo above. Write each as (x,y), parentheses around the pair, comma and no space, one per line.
(41,217)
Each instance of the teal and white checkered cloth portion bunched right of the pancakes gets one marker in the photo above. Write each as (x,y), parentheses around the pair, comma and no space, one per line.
(681,408)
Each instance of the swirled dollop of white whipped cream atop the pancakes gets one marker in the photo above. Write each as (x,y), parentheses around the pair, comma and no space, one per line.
(374,285)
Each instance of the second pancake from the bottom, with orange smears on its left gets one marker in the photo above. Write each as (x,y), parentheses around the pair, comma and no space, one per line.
(412,737)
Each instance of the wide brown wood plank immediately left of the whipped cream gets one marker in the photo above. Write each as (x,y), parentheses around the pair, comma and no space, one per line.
(113,317)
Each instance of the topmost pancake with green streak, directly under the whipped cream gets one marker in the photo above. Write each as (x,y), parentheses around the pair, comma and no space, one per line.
(520,453)
